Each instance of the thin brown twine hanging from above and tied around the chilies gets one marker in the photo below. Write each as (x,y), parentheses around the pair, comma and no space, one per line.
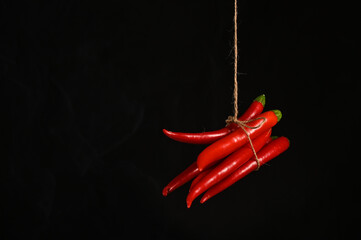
(234,119)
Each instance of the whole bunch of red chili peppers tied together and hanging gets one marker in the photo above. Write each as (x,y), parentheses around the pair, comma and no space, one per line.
(230,156)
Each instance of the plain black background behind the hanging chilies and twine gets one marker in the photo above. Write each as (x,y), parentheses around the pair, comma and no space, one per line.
(88,86)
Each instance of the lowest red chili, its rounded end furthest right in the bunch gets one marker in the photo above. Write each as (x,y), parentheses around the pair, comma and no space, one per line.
(267,153)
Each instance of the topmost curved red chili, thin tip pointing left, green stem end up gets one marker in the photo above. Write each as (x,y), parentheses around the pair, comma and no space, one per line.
(209,137)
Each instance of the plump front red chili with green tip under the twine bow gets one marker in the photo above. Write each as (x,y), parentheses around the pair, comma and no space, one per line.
(237,139)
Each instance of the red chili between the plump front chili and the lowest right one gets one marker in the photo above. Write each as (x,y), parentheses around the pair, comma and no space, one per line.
(227,166)
